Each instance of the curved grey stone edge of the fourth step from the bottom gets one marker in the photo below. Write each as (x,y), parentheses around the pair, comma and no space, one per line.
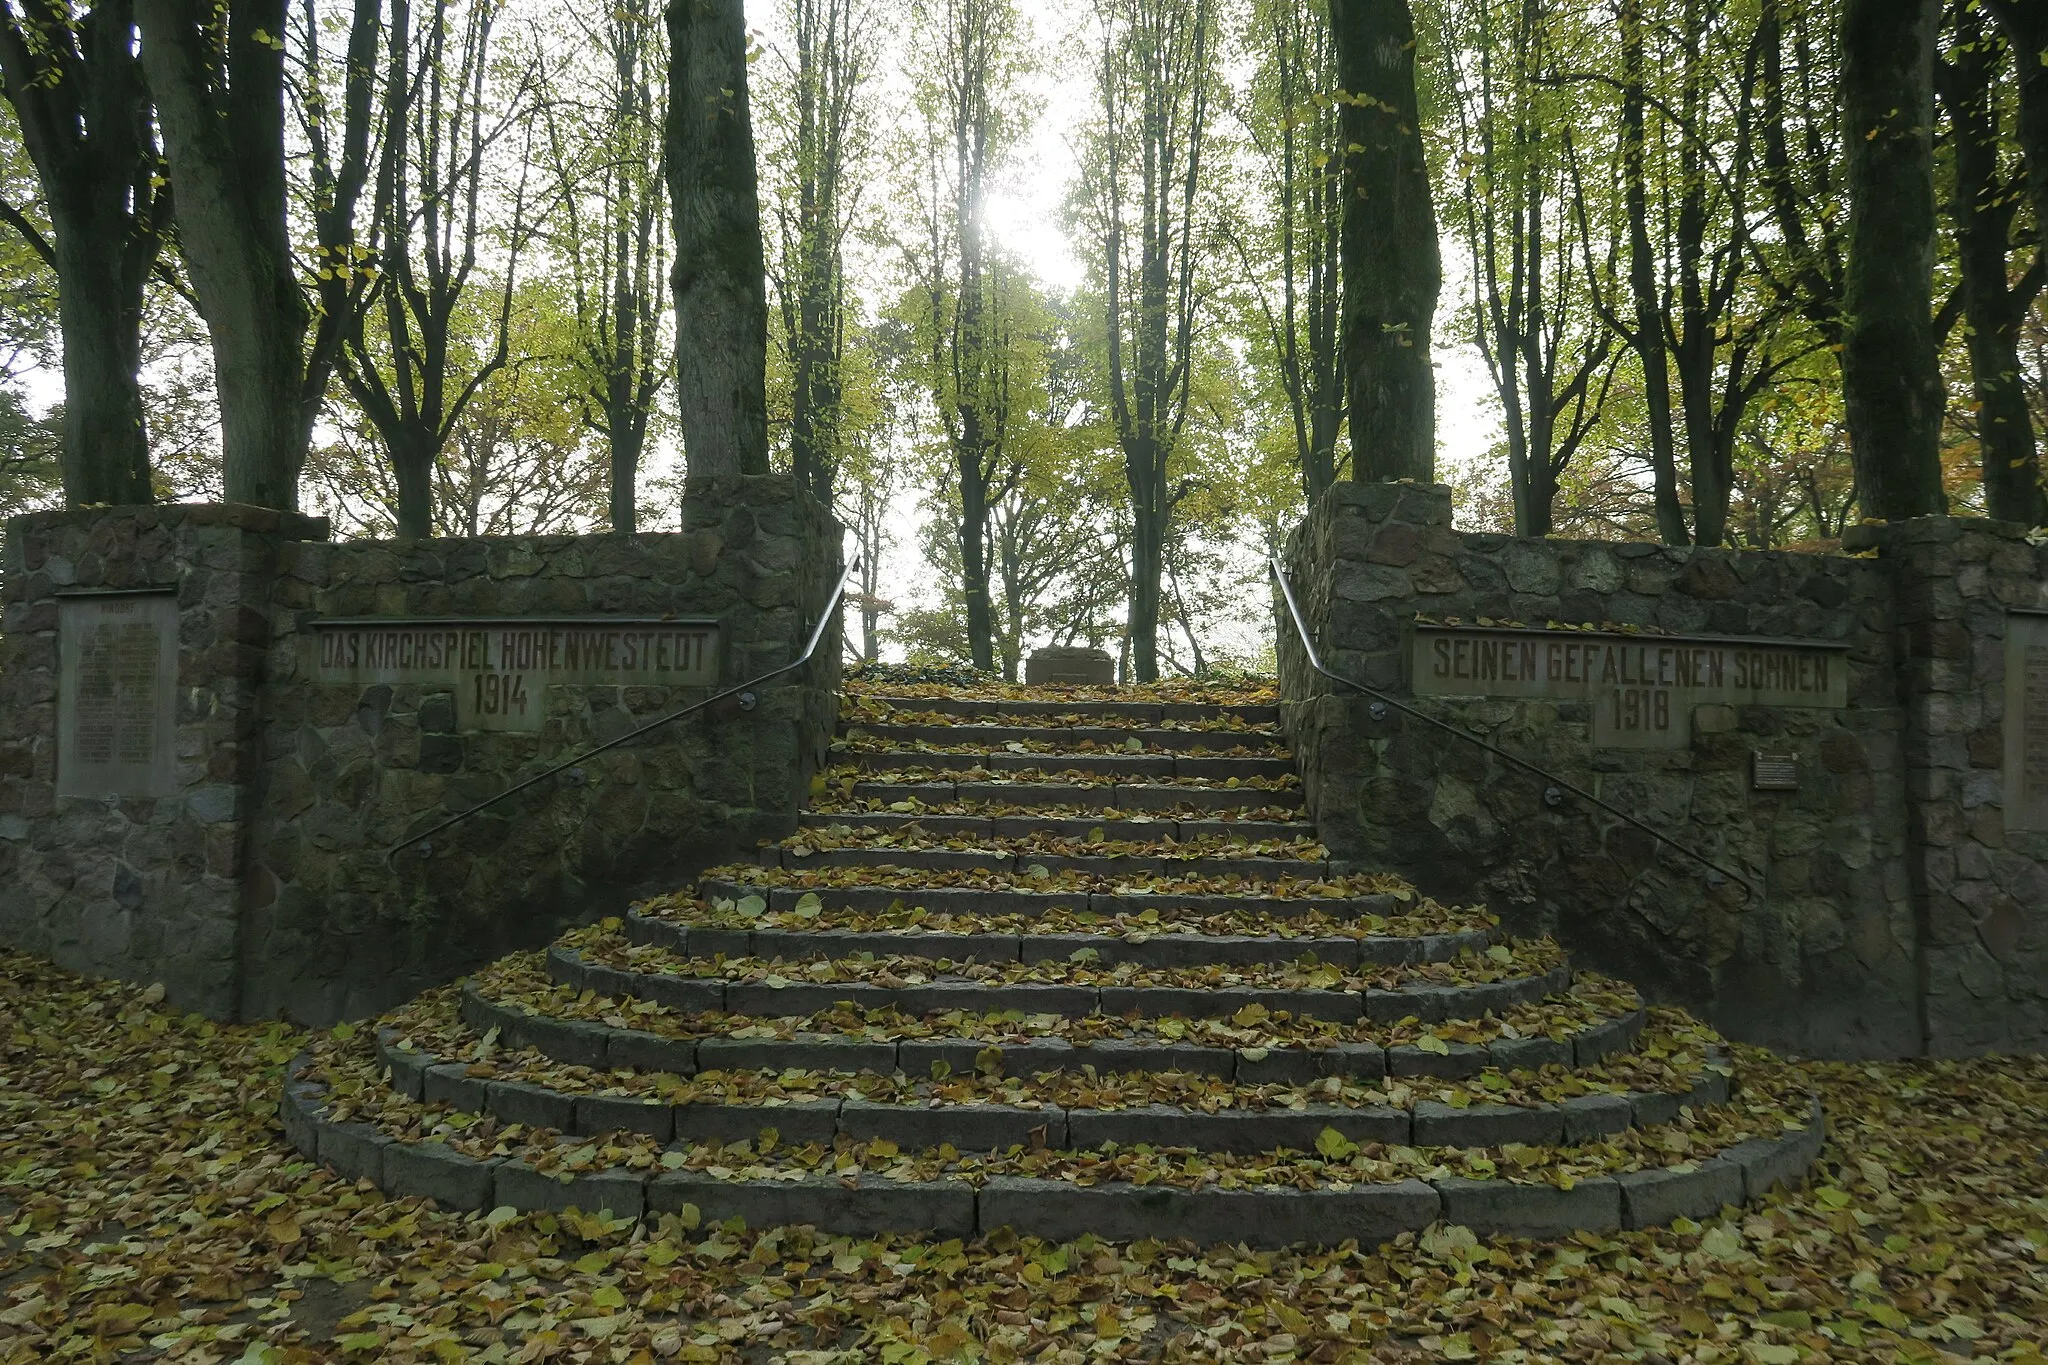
(771,996)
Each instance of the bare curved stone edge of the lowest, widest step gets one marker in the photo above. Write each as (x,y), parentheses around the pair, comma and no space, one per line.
(867,1204)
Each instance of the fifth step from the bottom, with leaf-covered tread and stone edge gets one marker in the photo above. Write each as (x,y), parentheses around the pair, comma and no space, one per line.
(751,930)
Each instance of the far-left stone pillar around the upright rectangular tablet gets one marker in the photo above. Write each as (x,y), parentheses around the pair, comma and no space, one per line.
(130,885)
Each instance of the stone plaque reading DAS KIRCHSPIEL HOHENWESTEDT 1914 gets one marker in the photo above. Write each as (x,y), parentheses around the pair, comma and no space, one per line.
(501,668)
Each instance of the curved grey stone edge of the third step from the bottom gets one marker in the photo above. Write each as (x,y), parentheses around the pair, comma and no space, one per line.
(607,1047)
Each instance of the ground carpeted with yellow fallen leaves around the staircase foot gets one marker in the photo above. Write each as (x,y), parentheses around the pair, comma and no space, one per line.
(153,1210)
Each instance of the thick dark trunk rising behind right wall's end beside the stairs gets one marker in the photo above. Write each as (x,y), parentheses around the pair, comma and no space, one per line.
(1392,265)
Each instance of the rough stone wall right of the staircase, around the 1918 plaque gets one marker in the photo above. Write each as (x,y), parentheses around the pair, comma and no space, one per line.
(1891,914)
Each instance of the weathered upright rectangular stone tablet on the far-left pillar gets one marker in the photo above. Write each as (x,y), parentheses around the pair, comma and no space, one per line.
(118,695)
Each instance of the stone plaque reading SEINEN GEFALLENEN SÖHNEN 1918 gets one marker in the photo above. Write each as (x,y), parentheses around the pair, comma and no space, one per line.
(1644,689)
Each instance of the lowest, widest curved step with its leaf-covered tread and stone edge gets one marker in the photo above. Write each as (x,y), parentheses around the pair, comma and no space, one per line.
(337,1112)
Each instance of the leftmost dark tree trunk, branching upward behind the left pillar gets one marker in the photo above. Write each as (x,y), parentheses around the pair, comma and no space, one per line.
(83,109)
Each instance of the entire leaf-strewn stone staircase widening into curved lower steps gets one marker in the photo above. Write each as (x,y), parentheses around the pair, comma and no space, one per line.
(1062,961)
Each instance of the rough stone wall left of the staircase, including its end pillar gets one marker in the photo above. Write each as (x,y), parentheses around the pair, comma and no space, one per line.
(265,885)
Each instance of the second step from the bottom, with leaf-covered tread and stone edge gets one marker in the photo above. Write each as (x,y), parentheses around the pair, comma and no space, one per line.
(441,1061)
